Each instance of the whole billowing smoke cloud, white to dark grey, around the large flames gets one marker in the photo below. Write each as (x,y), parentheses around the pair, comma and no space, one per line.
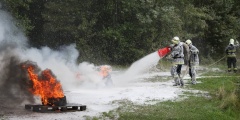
(15,51)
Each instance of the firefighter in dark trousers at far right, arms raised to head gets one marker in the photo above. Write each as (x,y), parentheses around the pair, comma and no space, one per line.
(231,56)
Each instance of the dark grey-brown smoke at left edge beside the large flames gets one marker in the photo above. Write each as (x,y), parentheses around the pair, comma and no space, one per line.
(14,81)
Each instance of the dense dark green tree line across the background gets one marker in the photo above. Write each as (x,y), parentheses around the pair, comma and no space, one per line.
(122,31)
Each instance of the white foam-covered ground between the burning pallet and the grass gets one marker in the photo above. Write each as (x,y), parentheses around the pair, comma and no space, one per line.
(151,86)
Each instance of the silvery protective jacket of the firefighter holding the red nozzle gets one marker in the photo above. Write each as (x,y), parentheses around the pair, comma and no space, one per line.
(177,54)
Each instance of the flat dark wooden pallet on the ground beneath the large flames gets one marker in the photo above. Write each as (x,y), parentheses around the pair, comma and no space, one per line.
(67,108)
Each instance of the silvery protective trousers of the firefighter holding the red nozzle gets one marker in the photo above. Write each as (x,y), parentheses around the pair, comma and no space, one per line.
(176,73)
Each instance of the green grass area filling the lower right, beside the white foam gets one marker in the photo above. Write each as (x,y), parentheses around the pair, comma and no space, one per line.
(220,103)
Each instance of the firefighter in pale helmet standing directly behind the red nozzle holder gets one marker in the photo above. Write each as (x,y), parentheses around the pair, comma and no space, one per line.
(193,60)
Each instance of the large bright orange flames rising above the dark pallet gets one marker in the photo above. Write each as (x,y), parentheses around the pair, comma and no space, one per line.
(46,86)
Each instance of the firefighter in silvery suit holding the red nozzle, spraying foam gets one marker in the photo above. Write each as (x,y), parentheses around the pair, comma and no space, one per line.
(177,55)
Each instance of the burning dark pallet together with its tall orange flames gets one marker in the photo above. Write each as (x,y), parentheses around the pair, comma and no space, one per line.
(45,85)
